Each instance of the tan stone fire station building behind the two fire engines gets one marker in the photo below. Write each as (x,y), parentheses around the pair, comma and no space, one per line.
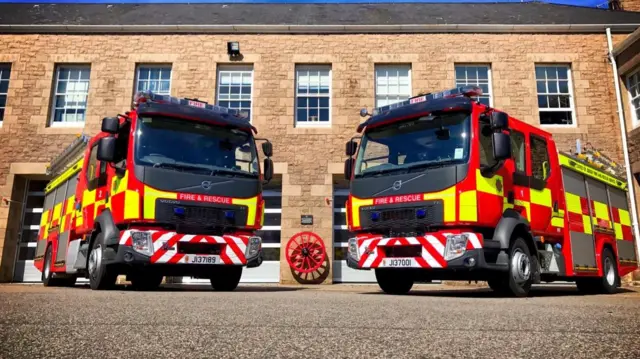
(63,67)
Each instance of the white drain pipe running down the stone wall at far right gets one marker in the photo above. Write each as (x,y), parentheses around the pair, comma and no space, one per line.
(625,148)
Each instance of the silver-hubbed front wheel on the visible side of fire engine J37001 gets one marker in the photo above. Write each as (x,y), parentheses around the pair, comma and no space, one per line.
(521,269)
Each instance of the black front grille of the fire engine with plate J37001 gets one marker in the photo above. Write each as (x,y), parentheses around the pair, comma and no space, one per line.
(402,217)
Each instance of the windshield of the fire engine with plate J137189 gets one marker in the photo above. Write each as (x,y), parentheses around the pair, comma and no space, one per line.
(190,146)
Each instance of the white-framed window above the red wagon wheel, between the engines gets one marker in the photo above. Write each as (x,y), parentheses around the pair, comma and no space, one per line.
(313,95)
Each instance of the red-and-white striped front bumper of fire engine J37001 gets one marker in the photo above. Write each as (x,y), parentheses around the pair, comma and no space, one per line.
(435,252)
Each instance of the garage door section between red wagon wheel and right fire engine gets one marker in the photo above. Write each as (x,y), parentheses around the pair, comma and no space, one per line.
(342,273)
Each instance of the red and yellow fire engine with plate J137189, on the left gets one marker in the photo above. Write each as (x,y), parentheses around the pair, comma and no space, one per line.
(171,188)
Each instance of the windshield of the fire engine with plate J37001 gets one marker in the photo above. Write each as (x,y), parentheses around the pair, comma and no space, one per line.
(422,142)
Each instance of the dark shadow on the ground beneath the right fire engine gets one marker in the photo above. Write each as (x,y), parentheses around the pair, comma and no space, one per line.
(563,291)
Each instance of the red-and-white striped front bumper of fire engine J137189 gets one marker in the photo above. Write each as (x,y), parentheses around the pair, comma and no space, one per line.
(167,248)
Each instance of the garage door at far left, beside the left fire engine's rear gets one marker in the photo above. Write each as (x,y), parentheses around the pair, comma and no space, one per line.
(33,201)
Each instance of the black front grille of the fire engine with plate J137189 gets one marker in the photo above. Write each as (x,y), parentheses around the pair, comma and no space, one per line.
(199,218)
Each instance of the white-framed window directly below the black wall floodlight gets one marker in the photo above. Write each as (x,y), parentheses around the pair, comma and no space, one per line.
(235,88)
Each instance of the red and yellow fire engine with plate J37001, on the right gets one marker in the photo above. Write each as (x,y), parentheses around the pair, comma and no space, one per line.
(446,188)
